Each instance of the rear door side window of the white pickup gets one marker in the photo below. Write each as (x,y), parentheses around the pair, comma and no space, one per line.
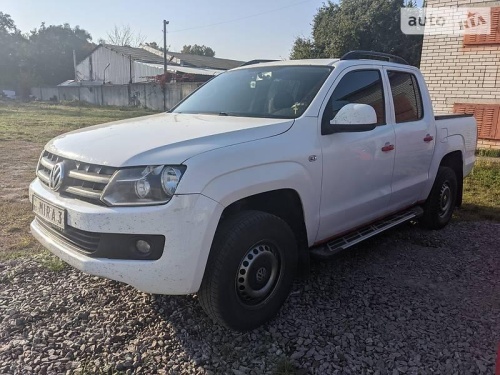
(406,97)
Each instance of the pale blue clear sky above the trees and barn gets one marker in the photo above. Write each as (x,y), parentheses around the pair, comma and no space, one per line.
(234,29)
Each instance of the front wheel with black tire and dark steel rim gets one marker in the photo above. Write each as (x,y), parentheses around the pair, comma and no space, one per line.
(250,270)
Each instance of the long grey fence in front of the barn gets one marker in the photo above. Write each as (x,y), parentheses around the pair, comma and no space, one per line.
(147,95)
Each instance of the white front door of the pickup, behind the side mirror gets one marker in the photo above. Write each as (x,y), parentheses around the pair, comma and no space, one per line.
(357,167)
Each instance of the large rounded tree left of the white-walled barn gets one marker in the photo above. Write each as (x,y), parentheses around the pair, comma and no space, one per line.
(51,52)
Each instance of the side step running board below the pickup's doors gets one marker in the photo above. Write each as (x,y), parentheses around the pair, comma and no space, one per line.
(353,238)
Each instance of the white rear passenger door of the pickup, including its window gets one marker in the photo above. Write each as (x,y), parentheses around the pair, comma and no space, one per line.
(415,137)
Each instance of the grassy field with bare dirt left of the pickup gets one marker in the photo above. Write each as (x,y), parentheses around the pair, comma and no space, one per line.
(25,124)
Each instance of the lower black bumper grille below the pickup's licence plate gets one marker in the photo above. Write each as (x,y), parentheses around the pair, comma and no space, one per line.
(86,242)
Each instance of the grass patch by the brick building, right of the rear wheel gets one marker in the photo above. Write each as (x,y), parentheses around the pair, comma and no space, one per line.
(482,192)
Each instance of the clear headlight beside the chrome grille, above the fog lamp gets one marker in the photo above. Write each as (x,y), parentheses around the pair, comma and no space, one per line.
(143,185)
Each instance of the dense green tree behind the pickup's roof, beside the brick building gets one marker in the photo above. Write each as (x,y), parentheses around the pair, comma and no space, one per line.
(372,25)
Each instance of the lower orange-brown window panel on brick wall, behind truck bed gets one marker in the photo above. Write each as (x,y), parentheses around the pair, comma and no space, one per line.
(487,117)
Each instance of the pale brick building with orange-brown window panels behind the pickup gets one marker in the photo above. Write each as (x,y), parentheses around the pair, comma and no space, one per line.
(463,72)
